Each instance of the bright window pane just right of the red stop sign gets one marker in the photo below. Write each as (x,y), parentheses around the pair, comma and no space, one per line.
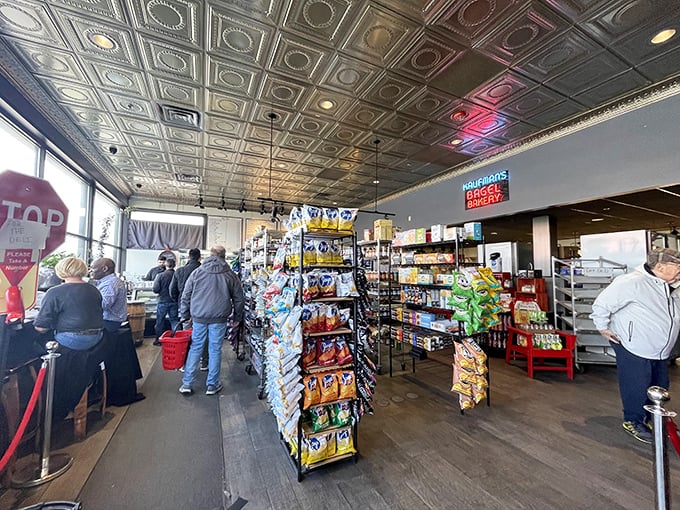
(73,192)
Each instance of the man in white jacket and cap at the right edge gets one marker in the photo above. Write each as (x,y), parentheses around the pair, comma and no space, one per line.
(639,313)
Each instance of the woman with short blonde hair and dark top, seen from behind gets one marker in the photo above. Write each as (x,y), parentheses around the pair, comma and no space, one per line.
(73,310)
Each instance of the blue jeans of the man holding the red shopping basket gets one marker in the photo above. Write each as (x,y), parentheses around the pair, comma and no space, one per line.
(214,334)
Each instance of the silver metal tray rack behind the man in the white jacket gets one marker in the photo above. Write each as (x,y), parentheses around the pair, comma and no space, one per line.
(576,284)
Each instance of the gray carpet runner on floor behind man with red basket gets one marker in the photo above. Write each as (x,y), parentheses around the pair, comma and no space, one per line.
(166,453)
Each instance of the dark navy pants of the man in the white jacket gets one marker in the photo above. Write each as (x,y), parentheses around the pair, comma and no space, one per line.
(635,375)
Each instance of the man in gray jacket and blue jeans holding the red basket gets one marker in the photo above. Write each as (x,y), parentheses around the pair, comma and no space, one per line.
(213,299)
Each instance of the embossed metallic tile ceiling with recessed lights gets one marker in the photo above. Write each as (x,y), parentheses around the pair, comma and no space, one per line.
(415,74)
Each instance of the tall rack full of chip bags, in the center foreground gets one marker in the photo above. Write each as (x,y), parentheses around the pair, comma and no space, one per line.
(319,380)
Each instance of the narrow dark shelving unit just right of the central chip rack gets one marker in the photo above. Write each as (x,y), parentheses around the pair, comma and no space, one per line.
(377,262)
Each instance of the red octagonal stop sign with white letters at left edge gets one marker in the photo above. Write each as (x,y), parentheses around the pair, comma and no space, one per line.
(29,198)
